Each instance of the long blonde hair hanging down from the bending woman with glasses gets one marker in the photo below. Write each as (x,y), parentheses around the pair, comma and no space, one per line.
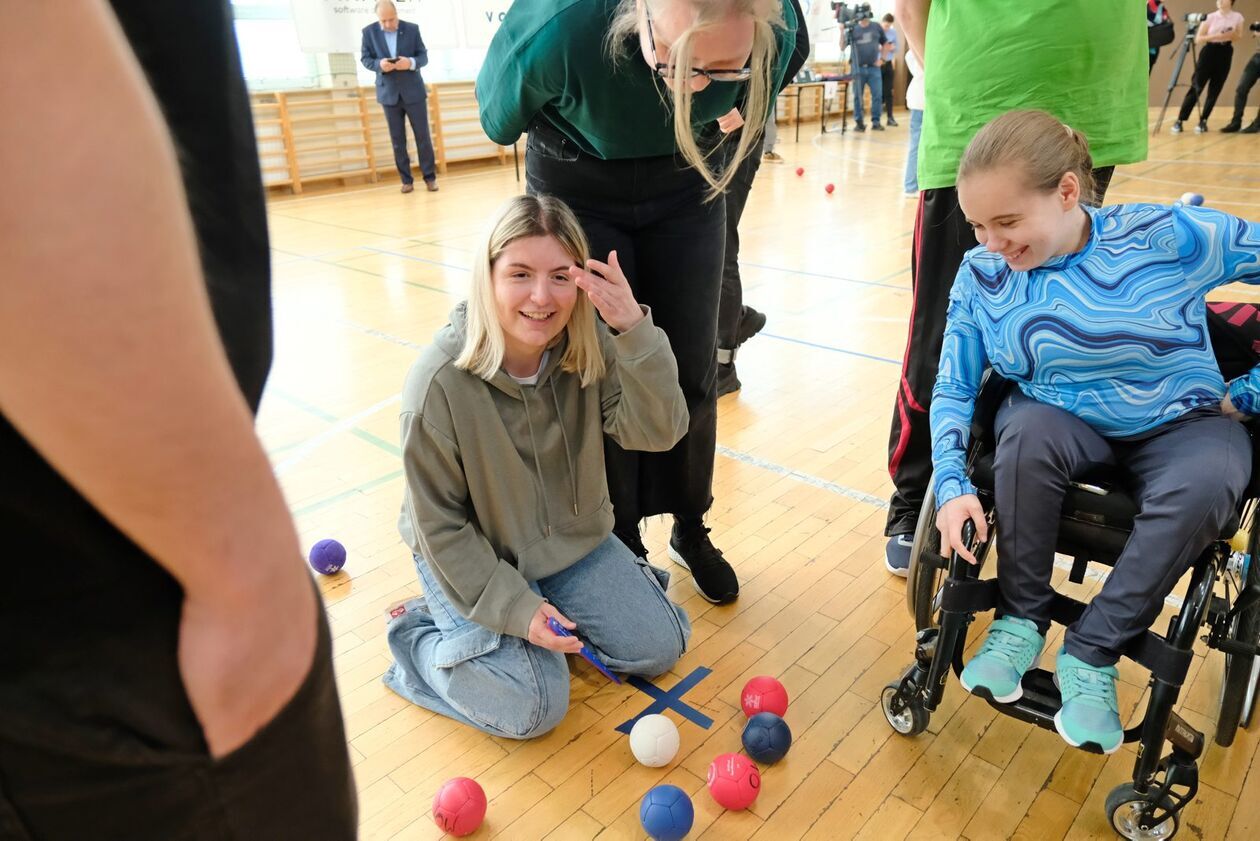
(760,89)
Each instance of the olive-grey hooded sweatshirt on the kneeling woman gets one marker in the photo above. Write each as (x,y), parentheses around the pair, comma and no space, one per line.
(506,484)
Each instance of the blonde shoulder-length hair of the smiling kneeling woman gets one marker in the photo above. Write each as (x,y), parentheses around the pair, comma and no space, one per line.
(522,217)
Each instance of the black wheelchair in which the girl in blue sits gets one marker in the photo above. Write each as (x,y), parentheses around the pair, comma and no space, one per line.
(1223,603)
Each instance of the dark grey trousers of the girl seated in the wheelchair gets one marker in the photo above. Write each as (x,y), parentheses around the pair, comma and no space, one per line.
(1188,477)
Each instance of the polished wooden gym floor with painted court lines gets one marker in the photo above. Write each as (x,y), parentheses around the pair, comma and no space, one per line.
(364,278)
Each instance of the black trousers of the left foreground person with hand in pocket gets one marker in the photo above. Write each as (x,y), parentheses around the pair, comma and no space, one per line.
(98,739)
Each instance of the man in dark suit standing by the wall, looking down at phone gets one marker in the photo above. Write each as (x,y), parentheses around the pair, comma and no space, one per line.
(395,52)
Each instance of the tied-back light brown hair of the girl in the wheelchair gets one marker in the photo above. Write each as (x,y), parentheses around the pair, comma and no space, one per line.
(1039,146)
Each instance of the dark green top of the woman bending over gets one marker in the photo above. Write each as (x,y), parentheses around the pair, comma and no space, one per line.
(549,59)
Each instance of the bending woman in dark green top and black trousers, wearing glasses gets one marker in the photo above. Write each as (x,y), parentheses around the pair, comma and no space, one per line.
(632,109)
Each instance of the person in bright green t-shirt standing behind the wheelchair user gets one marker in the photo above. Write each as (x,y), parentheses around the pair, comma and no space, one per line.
(1079,60)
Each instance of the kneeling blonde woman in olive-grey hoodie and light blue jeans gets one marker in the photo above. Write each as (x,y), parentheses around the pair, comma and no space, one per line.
(507,504)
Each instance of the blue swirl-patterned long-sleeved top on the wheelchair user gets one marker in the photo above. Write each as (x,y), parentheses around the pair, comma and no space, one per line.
(1116,333)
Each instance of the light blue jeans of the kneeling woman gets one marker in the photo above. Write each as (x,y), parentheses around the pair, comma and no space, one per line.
(506,685)
